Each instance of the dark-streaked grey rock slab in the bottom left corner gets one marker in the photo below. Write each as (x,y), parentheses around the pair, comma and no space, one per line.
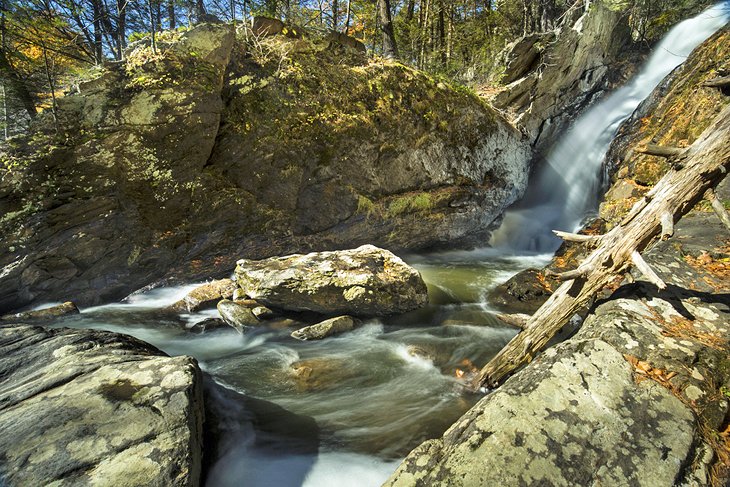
(86,407)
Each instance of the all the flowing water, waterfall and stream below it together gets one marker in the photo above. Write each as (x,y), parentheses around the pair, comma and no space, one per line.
(343,411)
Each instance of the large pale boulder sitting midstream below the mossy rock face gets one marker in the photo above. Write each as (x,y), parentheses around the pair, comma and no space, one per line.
(366,281)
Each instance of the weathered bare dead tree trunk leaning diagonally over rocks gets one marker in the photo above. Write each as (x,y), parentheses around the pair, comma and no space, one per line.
(696,170)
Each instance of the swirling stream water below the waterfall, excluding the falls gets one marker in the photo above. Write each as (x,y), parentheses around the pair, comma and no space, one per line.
(340,411)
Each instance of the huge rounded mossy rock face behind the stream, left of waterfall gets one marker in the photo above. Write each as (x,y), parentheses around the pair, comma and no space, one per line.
(219,145)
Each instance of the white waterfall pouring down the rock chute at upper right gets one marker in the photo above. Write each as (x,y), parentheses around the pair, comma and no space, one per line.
(565,189)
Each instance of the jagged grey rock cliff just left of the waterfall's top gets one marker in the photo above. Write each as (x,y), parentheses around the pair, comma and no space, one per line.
(552,77)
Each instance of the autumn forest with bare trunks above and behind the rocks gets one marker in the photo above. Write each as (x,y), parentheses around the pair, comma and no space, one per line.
(45,44)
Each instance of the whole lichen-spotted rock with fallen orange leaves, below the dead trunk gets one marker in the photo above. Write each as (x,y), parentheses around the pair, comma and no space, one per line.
(601,408)
